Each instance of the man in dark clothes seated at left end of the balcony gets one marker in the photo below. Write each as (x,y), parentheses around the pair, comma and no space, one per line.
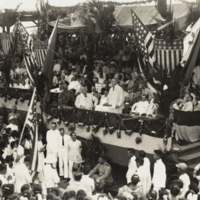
(66,97)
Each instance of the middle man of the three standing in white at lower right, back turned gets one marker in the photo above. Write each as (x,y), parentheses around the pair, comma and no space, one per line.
(144,174)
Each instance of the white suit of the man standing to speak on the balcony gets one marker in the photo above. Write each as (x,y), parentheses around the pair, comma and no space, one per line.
(116,97)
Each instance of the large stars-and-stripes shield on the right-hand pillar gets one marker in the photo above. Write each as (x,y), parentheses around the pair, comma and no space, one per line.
(168,55)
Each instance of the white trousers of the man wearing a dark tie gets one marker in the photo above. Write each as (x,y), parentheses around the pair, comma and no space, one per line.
(63,163)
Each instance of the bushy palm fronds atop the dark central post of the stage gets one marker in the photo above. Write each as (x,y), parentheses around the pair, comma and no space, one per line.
(99,20)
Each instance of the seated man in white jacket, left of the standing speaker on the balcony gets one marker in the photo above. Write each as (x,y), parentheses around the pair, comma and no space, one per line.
(85,100)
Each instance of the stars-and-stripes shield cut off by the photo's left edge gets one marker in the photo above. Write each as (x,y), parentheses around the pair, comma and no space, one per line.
(8,40)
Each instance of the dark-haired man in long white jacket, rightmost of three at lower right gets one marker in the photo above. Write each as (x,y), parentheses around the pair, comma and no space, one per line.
(159,172)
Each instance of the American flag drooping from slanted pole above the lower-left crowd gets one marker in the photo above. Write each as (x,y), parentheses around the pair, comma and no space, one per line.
(32,122)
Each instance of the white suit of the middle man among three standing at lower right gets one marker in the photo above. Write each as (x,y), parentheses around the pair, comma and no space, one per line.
(145,179)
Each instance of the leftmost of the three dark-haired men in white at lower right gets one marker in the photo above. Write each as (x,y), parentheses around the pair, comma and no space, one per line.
(132,167)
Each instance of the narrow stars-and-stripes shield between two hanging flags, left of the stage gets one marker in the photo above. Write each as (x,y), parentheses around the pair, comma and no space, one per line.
(40,49)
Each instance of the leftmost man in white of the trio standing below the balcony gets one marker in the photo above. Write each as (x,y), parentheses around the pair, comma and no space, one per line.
(52,141)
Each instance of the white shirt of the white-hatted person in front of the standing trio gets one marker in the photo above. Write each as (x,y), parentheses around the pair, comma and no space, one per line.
(50,176)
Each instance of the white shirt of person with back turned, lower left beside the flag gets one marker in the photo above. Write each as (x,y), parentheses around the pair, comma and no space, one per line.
(22,176)
